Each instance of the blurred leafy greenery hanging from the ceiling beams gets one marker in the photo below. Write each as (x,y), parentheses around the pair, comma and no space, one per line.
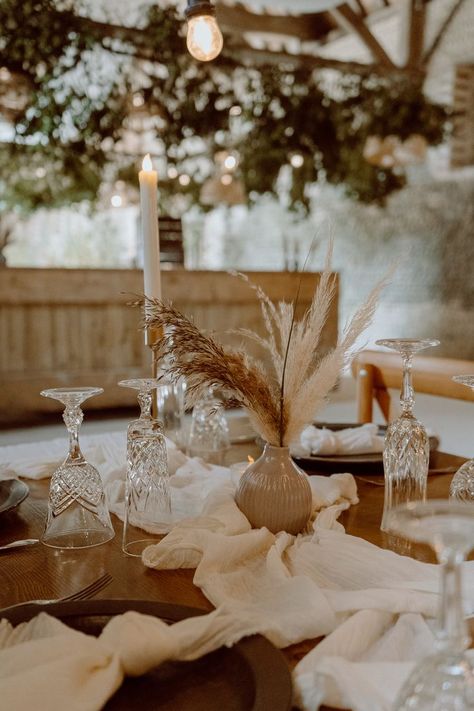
(86,85)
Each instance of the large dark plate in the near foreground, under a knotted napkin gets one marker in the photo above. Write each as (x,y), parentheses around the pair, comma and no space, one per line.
(250,676)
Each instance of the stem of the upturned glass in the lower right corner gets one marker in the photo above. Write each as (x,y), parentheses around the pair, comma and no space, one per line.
(452,632)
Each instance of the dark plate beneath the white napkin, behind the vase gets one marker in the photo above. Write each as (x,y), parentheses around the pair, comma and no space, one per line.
(371,461)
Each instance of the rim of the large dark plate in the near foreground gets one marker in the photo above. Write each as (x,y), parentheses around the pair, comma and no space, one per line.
(271,673)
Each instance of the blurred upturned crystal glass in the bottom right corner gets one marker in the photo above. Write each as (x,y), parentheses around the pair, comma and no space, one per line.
(443,681)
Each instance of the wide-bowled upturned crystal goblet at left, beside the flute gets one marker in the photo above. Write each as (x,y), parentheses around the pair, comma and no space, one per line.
(78,516)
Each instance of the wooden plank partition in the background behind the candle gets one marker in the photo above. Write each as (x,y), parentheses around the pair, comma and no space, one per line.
(73,327)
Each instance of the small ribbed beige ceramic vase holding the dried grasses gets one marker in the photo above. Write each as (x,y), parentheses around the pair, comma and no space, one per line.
(275,493)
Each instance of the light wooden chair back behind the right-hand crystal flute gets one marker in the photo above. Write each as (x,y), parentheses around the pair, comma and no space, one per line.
(377,371)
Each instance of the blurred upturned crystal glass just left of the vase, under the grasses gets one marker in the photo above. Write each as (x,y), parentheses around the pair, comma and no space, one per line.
(209,433)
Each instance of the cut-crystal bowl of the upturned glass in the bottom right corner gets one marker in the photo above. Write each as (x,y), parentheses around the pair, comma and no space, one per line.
(443,682)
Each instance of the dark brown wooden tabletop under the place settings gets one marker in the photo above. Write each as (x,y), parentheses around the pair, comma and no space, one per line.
(41,572)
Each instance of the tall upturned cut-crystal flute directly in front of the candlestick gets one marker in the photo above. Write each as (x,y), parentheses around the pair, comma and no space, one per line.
(147,491)
